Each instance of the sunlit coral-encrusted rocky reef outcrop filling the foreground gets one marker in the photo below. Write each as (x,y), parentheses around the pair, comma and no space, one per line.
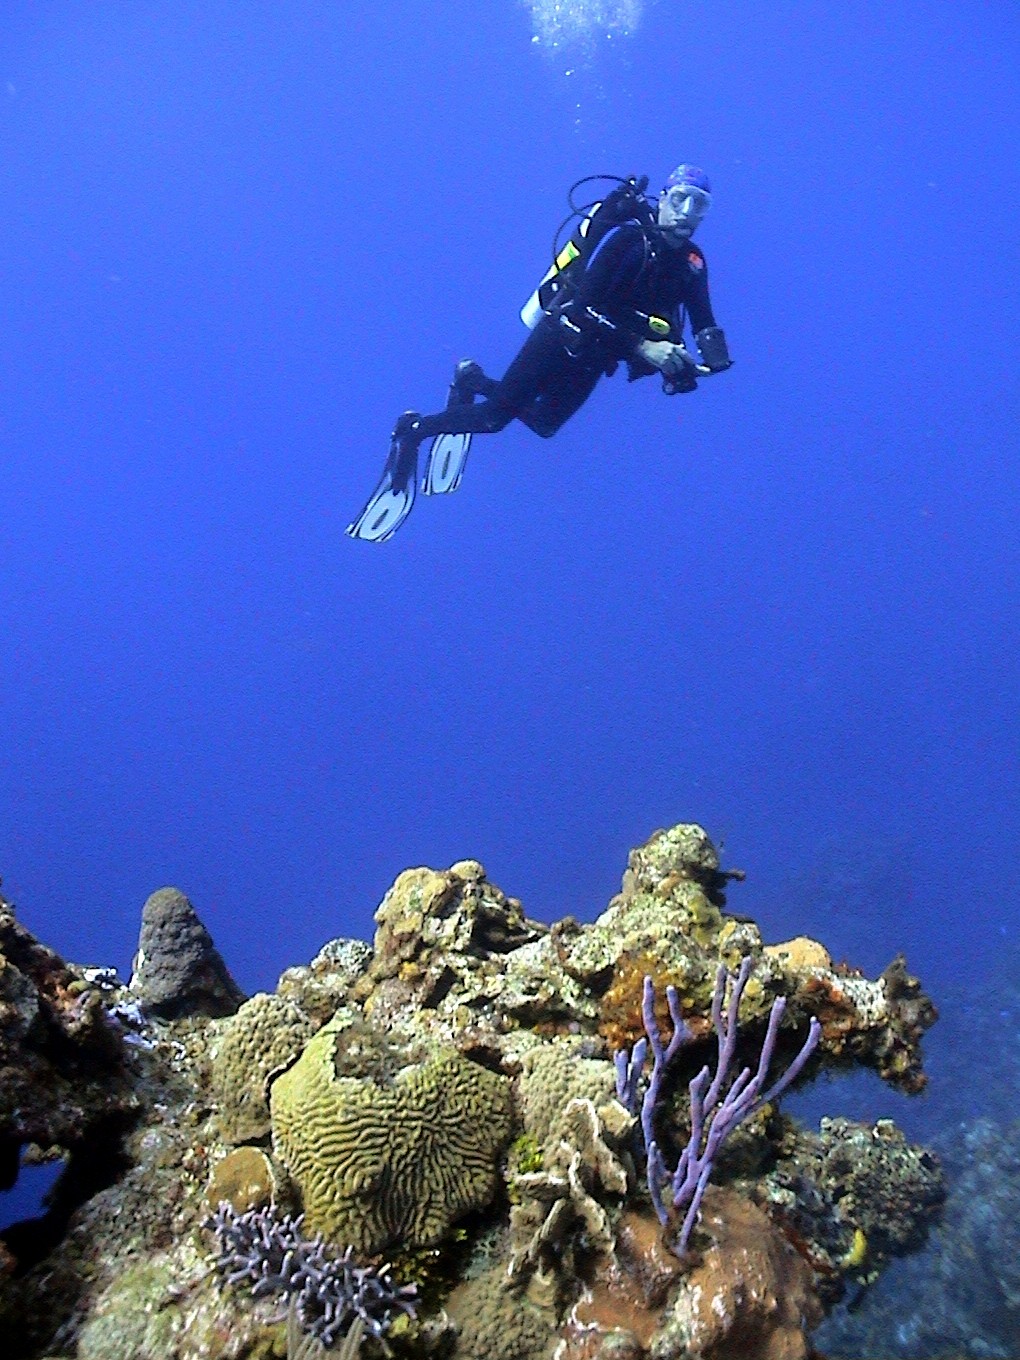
(443,1113)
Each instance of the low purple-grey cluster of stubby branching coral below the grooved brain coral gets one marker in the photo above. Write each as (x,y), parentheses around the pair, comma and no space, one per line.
(330,1293)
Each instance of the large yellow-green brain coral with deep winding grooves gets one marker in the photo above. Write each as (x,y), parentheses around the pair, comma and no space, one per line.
(402,1162)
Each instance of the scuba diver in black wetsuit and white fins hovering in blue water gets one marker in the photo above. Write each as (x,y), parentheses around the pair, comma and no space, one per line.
(619,292)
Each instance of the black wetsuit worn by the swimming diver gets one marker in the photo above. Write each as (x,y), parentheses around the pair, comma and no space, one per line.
(557,369)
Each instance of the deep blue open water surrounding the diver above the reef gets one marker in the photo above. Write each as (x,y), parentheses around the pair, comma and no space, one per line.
(239,241)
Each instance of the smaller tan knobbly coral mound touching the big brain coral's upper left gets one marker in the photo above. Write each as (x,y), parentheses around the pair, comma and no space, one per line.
(266,1034)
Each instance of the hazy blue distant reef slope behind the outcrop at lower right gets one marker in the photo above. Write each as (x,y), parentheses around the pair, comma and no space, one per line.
(959,1293)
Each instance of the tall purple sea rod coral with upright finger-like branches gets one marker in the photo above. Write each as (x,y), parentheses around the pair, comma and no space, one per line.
(713,1115)
